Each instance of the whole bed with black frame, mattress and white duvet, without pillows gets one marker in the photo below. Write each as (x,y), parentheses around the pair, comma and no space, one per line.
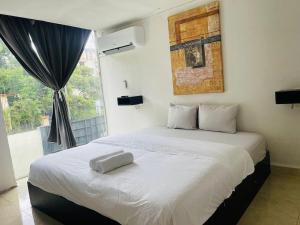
(179,177)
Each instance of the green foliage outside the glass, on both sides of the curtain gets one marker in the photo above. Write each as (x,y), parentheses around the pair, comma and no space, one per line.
(29,100)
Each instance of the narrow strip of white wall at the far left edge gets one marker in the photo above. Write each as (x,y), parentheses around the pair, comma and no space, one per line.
(7,179)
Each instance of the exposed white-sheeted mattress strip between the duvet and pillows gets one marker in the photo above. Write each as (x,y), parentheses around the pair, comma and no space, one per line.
(254,143)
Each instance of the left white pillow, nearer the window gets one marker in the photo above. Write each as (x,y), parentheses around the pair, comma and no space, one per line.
(184,117)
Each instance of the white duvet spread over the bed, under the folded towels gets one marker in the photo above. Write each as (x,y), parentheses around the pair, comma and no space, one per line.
(173,181)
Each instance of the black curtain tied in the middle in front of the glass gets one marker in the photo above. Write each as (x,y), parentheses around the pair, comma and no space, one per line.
(58,50)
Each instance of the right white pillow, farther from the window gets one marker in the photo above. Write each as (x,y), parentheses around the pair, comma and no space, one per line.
(218,117)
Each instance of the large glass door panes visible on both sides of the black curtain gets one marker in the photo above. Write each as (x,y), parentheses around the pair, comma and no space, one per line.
(27,107)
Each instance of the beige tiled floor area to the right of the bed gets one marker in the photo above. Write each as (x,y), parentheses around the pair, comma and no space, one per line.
(278,201)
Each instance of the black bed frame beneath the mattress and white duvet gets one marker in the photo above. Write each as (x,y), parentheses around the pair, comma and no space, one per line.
(228,213)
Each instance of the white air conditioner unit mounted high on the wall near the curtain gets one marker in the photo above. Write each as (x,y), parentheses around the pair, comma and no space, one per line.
(121,41)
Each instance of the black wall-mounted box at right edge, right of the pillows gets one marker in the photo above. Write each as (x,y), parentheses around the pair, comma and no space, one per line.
(287,96)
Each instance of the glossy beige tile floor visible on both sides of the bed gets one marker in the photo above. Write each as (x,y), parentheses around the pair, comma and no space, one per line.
(277,203)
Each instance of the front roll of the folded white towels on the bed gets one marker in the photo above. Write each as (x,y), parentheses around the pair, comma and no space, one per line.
(113,162)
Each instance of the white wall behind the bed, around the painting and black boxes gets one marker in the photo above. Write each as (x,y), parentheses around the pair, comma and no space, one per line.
(261,53)
